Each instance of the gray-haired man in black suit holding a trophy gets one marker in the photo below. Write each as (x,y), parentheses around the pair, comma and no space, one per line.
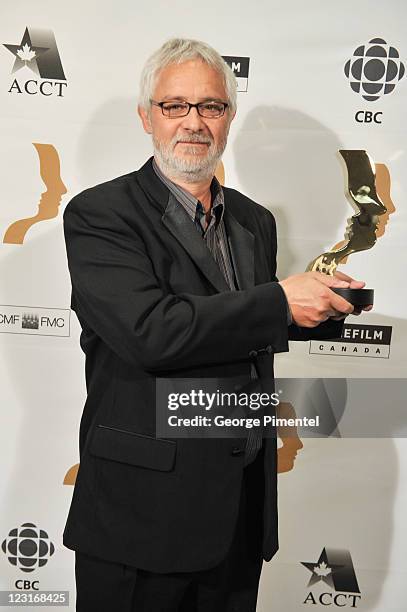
(173,276)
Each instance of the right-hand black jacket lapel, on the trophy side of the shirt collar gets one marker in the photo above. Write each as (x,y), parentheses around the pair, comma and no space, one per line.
(241,246)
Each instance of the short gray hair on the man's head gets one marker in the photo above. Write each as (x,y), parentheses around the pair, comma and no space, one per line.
(177,51)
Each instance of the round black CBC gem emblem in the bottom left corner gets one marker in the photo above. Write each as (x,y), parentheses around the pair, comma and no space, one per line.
(28,547)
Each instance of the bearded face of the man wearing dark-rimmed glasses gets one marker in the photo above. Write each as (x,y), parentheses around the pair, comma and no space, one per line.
(190,147)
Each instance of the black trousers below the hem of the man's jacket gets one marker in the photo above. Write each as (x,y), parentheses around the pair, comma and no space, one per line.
(231,586)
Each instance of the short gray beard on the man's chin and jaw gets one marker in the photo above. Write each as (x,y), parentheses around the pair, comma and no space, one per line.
(188,170)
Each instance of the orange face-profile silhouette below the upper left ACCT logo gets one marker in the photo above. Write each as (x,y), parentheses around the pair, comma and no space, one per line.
(50,199)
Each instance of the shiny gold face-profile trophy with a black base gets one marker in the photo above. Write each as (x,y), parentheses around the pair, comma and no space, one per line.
(360,233)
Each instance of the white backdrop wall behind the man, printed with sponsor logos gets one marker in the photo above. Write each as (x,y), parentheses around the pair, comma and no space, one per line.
(298,110)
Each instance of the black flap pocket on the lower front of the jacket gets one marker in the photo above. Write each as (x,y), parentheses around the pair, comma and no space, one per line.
(133,448)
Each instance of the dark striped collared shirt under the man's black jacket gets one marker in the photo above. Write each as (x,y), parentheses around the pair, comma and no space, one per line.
(214,234)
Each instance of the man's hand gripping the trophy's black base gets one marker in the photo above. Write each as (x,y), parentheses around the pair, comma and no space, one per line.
(311,300)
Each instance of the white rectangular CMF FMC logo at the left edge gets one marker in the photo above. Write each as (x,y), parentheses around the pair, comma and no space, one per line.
(35,320)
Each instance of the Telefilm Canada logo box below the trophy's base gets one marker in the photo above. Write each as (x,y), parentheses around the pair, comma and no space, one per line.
(356,341)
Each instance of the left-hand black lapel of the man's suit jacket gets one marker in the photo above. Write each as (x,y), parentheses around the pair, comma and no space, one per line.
(178,222)
